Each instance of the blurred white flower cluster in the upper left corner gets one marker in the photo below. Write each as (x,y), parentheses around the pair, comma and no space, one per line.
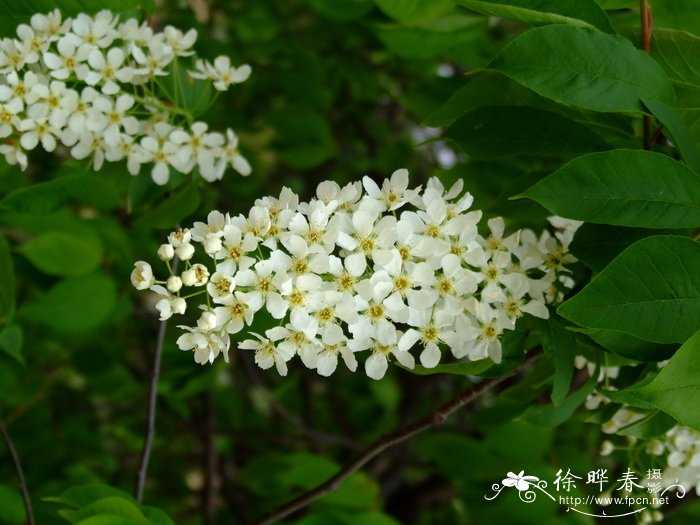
(90,84)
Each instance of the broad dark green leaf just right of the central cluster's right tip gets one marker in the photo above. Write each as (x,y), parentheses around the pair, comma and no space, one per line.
(651,291)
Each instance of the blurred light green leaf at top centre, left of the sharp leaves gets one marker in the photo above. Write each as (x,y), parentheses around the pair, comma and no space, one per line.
(433,38)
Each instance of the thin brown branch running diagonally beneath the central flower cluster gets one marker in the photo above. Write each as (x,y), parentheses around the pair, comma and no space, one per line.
(390,439)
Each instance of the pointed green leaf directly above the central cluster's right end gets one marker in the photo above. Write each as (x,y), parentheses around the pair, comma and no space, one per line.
(623,188)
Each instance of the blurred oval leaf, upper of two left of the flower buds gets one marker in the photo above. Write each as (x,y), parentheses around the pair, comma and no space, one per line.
(62,253)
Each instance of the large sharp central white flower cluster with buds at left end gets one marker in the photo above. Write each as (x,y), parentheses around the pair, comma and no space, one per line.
(384,270)
